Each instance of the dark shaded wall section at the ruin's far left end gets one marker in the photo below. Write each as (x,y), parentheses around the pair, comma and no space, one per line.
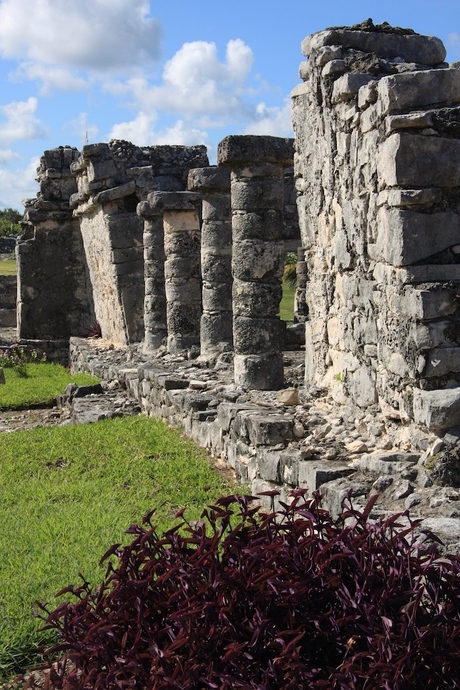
(54,294)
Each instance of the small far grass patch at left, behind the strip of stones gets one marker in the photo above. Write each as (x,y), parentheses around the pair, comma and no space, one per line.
(42,384)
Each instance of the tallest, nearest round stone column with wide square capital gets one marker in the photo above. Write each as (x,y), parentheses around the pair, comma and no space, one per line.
(257,200)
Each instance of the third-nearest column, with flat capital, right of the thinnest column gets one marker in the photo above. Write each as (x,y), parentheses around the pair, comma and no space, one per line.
(181,222)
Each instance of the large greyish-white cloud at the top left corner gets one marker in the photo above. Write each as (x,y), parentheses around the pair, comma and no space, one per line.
(88,34)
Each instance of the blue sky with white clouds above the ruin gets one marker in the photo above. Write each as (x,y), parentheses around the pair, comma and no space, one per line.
(177,72)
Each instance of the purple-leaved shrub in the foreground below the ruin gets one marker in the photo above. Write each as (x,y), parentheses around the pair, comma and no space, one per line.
(291,599)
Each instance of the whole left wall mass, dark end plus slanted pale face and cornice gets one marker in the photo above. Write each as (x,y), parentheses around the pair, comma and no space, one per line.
(81,257)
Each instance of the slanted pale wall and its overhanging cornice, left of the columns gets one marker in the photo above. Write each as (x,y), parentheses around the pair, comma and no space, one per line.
(112,179)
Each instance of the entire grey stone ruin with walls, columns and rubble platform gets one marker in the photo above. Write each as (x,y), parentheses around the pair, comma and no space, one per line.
(182,262)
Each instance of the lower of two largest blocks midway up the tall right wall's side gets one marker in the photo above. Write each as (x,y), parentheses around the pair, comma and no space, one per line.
(405,237)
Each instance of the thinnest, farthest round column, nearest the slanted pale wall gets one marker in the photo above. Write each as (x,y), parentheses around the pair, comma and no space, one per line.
(156,330)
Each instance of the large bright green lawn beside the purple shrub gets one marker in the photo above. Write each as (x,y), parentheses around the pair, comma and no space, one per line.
(67,493)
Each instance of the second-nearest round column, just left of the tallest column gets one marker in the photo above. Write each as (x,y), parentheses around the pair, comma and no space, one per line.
(216,258)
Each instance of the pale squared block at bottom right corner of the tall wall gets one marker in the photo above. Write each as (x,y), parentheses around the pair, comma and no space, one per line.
(437,409)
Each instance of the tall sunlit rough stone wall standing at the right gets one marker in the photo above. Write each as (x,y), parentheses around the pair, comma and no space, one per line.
(377,125)
